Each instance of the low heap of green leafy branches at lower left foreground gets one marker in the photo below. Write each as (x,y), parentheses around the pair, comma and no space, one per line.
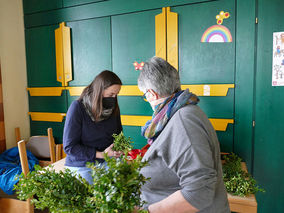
(60,192)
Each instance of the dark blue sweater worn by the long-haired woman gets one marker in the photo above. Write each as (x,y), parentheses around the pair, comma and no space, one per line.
(82,137)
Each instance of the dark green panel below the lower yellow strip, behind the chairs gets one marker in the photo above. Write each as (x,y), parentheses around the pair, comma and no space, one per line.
(40,128)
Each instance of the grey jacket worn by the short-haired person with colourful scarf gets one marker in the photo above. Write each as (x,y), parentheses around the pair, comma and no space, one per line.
(186,157)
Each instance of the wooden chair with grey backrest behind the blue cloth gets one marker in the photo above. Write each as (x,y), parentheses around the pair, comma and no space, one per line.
(42,147)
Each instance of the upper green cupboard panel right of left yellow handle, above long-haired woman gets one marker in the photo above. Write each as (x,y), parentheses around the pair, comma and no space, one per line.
(91,49)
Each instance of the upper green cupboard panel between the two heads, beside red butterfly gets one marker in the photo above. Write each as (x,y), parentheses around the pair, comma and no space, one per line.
(133,39)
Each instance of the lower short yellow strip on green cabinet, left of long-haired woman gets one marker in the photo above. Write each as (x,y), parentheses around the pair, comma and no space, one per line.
(47,116)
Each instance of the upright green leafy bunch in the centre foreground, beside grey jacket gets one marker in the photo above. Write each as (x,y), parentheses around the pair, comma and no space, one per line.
(118,189)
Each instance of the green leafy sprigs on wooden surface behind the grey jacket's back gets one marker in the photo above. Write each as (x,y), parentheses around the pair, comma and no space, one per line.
(237,181)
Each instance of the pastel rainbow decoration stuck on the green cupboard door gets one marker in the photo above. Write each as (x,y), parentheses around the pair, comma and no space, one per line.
(217,33)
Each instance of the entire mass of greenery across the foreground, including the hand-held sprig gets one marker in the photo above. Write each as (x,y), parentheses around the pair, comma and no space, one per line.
(115,189)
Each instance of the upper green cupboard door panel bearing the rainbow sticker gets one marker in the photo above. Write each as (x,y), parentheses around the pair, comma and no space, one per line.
(205,62)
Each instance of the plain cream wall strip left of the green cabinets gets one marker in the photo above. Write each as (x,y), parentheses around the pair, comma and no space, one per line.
(13,68)
